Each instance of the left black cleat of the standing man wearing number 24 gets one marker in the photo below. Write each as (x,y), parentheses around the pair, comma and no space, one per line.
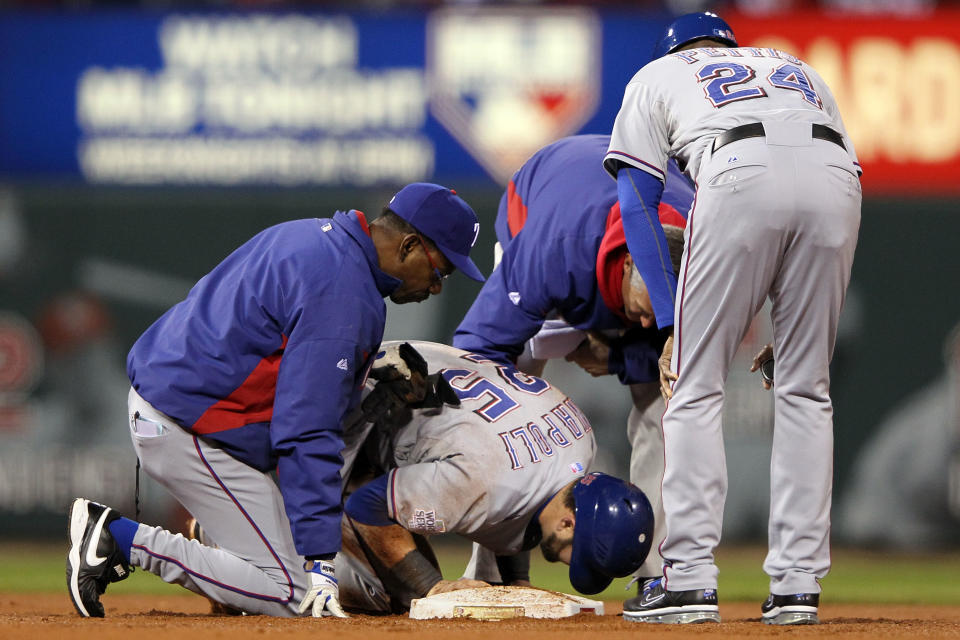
(656,604)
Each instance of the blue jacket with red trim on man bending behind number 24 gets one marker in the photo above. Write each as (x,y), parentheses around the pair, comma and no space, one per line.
(552,220)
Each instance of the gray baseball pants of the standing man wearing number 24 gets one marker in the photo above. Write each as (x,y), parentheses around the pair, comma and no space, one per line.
(778,220)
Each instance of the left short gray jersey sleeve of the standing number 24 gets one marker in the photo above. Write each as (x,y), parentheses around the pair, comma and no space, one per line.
(639,137)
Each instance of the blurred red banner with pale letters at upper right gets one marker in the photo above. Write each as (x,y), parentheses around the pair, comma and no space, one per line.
(897,81)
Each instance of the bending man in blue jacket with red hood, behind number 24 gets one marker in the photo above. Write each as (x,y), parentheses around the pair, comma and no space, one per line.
(567,287)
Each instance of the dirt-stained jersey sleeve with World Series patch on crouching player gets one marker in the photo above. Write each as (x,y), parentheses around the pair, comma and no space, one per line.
(442,496)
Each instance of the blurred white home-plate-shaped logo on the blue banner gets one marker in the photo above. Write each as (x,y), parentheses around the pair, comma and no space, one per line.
(505,82)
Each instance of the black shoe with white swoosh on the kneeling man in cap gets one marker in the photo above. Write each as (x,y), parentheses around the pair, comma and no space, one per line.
(95,559)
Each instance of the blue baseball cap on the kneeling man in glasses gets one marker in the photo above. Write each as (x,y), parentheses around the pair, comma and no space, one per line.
(443,216)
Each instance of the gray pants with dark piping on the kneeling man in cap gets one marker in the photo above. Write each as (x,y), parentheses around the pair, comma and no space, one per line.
(255,566)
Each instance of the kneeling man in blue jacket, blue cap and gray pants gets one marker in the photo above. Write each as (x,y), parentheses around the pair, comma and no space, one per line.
(254,372)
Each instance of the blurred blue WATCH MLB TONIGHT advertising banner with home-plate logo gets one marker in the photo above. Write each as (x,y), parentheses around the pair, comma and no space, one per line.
(304,99)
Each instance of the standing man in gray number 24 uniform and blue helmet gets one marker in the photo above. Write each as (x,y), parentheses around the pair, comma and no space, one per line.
(777,214)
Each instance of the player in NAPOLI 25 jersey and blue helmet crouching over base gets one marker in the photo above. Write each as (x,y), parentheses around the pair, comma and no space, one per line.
(505,469)
